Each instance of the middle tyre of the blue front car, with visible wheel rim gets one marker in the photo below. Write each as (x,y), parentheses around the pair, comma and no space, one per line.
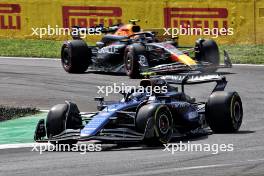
(162,123)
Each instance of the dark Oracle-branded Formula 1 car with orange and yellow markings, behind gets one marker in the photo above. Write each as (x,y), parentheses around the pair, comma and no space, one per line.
(125,48)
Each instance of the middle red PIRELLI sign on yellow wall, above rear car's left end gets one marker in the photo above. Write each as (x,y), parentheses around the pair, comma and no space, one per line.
(88,16)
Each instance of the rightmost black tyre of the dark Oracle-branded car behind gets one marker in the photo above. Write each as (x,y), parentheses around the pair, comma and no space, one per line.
(207,51)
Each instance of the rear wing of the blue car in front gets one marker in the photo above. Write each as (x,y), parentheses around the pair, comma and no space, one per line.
(196,79)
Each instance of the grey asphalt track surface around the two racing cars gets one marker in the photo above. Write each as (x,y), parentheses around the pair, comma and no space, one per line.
(43,83)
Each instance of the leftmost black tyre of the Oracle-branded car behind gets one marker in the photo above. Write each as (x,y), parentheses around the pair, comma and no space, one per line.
(75,56)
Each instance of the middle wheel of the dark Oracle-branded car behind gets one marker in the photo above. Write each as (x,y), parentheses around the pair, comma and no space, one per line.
(131,61)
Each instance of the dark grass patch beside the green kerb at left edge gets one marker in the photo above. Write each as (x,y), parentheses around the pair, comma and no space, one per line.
(7,113)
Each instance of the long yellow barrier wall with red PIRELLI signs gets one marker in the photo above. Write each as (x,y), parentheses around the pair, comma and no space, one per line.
(232,22)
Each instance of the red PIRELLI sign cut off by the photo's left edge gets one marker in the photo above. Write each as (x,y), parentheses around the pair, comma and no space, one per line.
(10,16)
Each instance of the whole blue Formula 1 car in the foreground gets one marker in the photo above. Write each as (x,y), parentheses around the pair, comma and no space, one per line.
(146,116)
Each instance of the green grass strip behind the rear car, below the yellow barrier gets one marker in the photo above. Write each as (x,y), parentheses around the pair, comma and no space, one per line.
(253,54)
